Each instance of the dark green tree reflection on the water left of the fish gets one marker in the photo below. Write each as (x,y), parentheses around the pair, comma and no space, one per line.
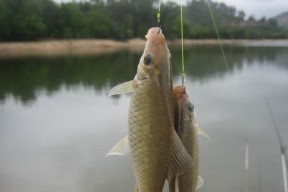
(23,78)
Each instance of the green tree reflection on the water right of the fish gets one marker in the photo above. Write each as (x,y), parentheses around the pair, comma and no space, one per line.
(207,62)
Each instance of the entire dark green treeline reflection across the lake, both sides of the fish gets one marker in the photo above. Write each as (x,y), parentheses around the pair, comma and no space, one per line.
(23,78)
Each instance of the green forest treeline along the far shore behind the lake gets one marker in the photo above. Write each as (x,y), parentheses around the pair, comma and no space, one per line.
(26,20)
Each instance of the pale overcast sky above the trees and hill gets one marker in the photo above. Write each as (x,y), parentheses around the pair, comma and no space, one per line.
(257,8)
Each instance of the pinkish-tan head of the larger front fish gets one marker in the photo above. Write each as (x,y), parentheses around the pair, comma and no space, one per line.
(155,61)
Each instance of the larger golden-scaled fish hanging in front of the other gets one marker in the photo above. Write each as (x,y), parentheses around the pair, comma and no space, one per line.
(156,149)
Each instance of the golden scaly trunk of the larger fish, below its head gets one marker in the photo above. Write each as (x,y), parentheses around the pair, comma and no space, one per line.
(146,140)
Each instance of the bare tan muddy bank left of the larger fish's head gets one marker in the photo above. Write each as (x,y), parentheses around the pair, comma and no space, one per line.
(65,47)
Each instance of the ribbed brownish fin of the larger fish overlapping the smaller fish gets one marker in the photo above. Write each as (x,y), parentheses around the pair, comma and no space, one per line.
(180,160)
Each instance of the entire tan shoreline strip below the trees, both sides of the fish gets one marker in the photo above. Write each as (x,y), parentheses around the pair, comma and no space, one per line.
(100,46)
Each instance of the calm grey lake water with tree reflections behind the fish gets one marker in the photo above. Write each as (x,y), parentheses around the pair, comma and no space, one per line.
(57,122)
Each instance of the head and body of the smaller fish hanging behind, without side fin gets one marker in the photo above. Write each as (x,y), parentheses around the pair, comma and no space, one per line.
(187,129)
